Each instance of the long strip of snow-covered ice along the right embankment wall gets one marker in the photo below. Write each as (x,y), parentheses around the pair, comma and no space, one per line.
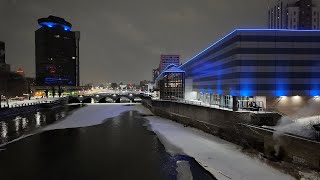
(223,159)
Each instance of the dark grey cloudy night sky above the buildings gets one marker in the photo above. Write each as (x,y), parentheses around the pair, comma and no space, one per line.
(121,40)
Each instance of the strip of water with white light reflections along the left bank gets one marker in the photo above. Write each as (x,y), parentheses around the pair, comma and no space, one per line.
(15,126)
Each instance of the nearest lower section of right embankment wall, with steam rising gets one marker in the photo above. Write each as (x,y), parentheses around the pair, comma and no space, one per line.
(282,147)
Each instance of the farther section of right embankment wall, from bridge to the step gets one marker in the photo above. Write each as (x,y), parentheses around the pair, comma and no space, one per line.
(218,122)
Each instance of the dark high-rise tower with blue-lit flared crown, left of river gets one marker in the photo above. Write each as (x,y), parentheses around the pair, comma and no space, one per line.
(57,53)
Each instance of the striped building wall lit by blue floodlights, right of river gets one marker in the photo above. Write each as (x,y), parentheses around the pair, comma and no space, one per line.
(252,62)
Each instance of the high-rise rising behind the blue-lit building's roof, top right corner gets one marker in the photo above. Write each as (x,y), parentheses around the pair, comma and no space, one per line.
(294,14)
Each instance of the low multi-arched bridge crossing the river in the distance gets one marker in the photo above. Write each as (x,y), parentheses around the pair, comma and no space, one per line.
(105,98)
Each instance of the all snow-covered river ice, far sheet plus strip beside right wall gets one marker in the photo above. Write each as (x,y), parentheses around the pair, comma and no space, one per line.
(221,158)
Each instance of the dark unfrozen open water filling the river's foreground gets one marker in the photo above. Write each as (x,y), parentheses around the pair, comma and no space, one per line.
(120,148)
